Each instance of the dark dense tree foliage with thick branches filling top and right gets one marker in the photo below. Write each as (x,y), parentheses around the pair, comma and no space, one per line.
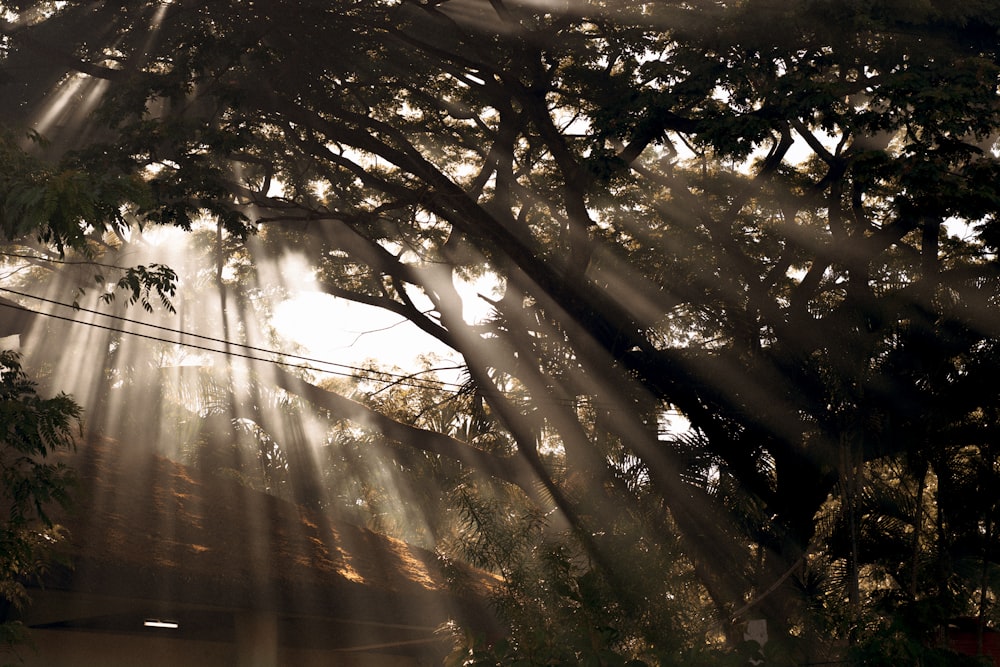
(740,360)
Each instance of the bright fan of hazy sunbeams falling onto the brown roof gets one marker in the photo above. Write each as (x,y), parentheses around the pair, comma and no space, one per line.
(215,413)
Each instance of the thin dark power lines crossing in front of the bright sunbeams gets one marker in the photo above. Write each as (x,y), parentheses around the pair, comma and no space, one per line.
(355,372)
